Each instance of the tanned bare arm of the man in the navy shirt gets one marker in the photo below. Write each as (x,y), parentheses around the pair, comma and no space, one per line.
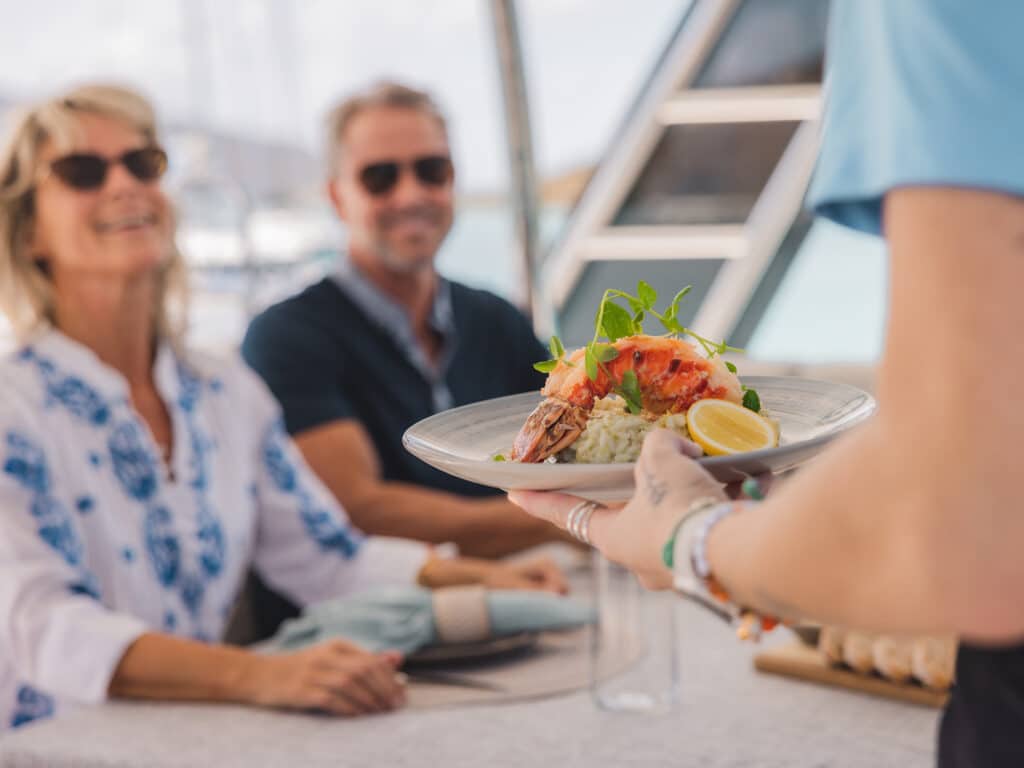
(343,454)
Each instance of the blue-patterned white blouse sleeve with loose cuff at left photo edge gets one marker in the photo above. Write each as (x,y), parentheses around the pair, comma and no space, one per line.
(54,625)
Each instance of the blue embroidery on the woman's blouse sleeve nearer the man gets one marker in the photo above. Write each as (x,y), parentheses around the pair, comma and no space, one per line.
(321,524)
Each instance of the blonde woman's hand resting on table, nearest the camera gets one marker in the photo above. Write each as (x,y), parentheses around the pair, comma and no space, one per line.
(336,677)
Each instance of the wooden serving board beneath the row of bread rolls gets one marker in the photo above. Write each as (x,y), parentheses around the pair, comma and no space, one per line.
(805,663)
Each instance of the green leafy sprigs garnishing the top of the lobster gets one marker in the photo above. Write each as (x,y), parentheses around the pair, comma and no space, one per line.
(615,322)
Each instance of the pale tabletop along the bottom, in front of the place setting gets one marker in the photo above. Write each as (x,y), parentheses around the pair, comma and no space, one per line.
(731,716)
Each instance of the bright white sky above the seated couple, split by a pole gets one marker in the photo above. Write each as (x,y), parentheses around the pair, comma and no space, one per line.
(270,68)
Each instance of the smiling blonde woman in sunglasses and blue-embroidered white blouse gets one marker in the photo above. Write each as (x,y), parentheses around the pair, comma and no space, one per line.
(140,482)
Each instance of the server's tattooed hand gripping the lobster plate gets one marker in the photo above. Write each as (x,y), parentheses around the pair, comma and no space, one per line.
(668,482)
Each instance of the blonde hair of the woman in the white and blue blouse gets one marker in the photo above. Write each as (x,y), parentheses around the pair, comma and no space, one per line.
(26,288)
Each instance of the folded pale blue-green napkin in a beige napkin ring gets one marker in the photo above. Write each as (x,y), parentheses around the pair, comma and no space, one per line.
(407,619)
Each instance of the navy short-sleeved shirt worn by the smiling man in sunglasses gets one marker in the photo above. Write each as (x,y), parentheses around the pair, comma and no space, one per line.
(343,350)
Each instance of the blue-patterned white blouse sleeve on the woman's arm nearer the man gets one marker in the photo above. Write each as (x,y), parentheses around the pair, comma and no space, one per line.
(306,545)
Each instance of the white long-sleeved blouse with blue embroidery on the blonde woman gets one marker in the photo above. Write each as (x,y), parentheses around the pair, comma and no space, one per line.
(99,545)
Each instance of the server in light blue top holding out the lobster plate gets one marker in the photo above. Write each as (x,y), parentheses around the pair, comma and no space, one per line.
(913,525)
